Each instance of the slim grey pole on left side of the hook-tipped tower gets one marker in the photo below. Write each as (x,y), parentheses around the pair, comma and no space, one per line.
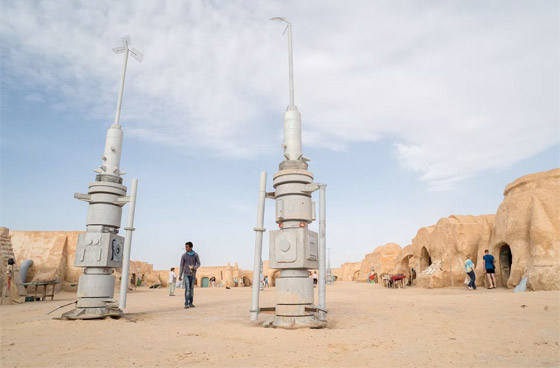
(259,230)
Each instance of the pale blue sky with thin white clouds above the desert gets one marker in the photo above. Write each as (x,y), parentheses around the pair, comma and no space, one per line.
(411,112)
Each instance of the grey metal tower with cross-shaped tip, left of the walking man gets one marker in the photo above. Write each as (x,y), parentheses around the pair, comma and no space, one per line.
(100,249)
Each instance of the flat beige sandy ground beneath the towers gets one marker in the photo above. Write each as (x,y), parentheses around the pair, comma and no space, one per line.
(368,326)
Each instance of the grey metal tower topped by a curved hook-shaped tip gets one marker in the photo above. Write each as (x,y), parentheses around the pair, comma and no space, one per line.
(294,249)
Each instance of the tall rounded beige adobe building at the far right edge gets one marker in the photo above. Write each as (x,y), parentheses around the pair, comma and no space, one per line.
(528,221)
